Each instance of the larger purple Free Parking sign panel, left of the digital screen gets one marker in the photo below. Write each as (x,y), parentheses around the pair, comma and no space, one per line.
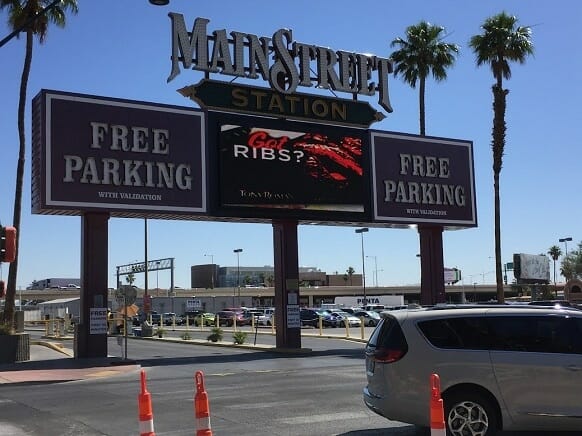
(121,156)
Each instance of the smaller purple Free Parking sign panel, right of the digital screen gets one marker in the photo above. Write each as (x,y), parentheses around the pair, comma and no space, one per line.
(421,179)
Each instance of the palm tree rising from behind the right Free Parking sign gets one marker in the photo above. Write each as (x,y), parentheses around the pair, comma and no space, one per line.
(421,53)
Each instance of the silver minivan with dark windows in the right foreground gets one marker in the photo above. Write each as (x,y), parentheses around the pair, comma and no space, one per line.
(510,367)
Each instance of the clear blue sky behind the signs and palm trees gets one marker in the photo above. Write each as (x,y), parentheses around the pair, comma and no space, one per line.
(121,49)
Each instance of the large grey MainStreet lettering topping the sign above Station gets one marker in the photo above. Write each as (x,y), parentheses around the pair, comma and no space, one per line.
(283,62)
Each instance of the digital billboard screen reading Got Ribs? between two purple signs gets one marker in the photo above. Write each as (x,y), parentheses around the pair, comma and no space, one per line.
(295,166)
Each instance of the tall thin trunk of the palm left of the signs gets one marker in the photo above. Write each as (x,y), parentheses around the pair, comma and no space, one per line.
(12,272)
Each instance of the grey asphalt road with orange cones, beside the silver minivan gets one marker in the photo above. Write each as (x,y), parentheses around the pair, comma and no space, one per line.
(250,393)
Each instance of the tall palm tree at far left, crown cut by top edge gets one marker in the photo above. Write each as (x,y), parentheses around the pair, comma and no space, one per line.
(31,17)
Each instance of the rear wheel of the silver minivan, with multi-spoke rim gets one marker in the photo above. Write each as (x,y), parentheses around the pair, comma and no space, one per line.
(470,414)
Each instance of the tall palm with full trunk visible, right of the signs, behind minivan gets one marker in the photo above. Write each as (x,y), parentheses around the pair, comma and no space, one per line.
(502,41)
